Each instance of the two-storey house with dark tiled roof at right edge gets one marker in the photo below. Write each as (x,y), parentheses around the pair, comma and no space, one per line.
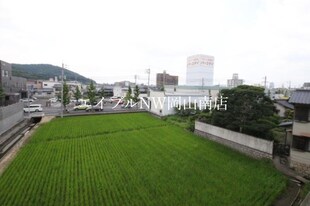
(300,150)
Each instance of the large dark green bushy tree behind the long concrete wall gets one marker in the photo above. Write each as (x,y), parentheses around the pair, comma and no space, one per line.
(249,111)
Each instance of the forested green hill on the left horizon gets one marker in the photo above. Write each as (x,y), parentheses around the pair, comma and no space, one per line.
(45,72)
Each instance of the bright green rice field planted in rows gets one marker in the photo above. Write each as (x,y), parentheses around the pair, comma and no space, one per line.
(133,159)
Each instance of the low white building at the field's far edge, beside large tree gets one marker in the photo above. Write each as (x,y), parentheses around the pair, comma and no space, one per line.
(162,103)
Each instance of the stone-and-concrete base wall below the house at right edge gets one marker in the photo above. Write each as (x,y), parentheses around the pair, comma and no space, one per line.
(300,161)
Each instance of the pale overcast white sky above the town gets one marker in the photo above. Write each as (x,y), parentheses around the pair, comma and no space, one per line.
(112,41)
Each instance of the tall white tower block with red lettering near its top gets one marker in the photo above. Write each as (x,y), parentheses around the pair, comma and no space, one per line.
(200,69)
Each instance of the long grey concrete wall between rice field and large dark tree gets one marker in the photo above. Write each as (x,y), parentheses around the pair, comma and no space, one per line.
(249,145)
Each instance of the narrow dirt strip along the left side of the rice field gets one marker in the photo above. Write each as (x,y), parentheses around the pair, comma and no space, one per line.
(7,159)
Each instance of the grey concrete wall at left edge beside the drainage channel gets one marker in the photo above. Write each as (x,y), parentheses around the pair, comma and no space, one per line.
(10,116)
